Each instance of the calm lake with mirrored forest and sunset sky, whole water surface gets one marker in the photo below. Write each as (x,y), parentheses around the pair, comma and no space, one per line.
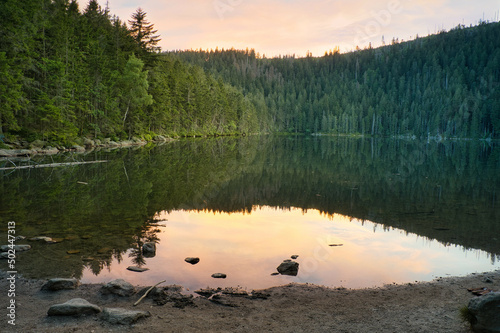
(396,211)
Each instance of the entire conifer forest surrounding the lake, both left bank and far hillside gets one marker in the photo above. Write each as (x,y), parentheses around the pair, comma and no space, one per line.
(68,74)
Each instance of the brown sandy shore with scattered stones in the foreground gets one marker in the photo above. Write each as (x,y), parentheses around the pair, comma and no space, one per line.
(413,307)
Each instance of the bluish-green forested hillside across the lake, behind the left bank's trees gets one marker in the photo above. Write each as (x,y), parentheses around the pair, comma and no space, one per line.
(444,85)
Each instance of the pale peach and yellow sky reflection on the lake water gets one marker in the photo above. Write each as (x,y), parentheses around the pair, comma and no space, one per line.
(249,247)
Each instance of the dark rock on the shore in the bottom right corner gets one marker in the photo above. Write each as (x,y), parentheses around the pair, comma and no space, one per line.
(486,310)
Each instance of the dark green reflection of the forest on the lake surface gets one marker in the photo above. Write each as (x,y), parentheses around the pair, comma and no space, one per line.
(422,188)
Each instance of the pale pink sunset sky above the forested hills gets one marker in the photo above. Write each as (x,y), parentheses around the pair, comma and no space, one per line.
(292,27)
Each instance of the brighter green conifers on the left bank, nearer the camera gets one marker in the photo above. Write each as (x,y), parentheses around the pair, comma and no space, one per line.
(67,74)
